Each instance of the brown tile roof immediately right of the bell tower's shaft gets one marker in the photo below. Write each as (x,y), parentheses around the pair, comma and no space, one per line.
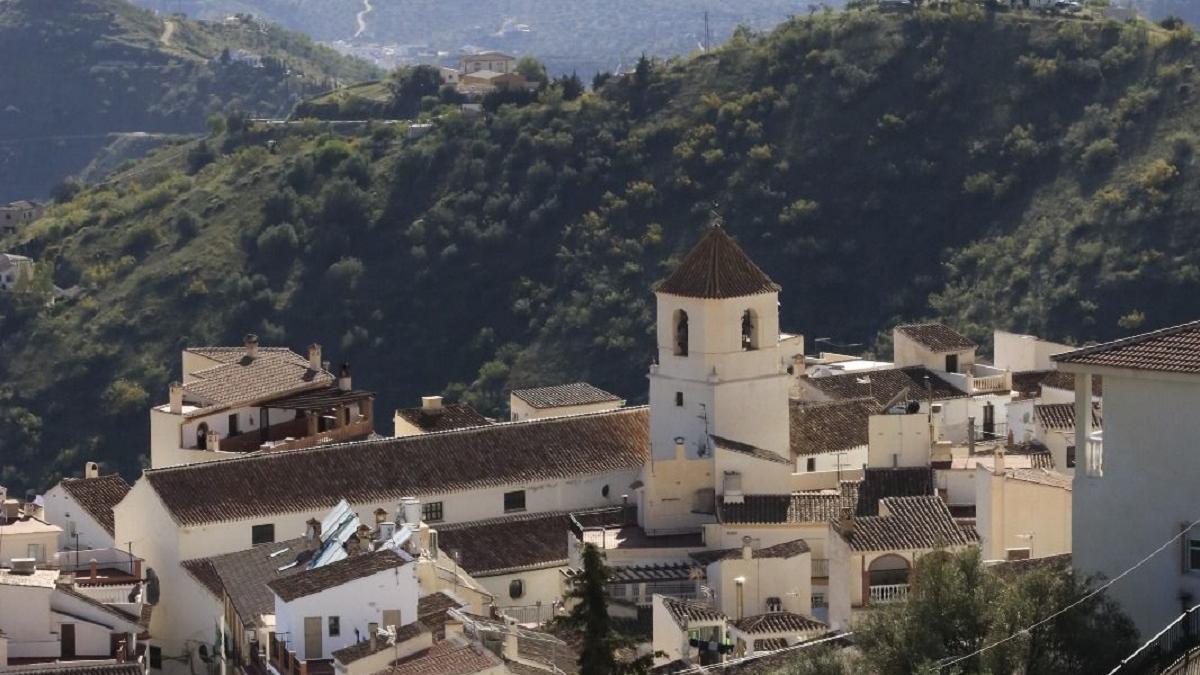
(830,427)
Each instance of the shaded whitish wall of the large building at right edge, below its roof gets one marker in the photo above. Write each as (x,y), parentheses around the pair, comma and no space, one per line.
(1148,491)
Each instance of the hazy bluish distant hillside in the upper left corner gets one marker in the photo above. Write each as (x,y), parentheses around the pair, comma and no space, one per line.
(74,73)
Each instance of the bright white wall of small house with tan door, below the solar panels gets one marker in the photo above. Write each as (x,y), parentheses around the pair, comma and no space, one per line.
(357,605)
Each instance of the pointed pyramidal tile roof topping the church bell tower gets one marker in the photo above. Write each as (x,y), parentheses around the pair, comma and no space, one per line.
(717,268)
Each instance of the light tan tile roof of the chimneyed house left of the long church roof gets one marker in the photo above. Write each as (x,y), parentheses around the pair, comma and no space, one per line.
(238,379)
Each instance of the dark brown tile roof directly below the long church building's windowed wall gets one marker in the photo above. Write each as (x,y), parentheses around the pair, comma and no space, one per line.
(490,547)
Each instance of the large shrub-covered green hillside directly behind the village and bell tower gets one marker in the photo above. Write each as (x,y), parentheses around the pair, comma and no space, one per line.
(991,170)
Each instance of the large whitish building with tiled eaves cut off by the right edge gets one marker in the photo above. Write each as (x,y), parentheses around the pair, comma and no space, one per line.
(1135,487)
